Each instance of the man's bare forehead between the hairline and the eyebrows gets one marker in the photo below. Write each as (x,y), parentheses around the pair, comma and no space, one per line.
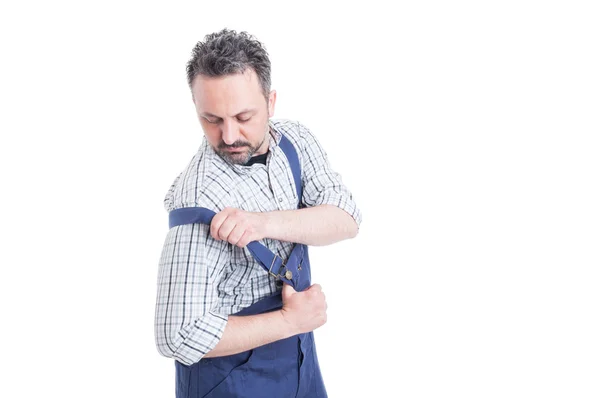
(226,94)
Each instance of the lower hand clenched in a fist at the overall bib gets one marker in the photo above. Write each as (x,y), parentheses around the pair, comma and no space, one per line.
(304,311)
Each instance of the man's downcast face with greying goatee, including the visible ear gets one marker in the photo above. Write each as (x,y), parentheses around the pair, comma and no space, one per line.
(234,114)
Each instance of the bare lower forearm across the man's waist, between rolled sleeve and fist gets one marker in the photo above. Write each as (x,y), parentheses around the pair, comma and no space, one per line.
(244,333)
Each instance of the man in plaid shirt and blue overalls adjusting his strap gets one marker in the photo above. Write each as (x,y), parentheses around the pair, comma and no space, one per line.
(235,307)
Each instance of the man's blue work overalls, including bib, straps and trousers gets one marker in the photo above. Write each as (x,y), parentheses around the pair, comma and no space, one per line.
(284,368)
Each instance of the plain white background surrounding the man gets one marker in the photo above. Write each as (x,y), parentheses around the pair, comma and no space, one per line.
(467,132)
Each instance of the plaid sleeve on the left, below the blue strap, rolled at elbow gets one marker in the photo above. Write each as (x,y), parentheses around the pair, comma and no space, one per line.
(186,324)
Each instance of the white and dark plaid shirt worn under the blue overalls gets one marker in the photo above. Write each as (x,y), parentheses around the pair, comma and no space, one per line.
(201,280)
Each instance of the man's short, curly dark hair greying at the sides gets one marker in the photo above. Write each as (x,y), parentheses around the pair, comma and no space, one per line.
(228,52)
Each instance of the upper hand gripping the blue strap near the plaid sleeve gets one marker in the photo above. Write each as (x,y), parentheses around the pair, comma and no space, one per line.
(237,226)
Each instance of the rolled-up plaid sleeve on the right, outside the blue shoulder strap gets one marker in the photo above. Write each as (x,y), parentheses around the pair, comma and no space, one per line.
(321,184)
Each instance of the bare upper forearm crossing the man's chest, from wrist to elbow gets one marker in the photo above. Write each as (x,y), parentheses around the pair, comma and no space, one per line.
(316,226)
